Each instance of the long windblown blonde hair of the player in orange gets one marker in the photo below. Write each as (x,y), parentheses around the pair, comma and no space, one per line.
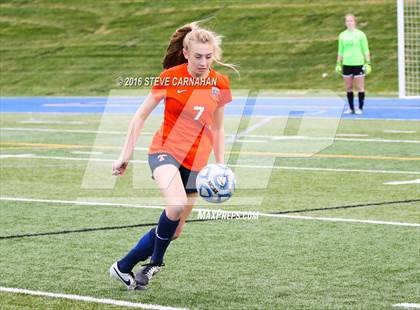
(184,36)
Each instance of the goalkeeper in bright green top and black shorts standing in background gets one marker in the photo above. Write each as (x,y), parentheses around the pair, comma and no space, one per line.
(353,61)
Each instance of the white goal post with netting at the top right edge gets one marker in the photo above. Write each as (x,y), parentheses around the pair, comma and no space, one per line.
(408,18)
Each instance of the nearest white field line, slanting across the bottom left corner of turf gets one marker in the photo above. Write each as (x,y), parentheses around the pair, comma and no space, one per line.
(105,301)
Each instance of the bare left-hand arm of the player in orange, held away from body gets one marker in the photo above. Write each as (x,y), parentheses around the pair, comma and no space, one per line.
(134,129)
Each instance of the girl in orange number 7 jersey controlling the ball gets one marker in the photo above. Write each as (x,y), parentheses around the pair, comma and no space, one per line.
(195,95)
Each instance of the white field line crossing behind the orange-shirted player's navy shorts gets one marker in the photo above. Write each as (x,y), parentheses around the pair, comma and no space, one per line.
(232,165)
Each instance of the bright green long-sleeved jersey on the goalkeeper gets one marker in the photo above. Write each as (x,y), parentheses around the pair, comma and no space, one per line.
(353,46)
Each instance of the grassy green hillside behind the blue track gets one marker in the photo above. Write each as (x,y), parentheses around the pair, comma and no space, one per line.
(81,47)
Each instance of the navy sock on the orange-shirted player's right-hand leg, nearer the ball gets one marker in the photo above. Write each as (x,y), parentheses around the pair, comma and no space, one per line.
(164,232)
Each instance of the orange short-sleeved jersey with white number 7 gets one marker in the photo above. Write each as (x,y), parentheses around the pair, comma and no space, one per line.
(190,103)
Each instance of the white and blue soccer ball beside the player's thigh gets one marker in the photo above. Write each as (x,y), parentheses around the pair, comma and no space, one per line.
(215,183)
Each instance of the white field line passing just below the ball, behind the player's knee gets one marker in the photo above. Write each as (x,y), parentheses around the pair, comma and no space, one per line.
(297,217)
